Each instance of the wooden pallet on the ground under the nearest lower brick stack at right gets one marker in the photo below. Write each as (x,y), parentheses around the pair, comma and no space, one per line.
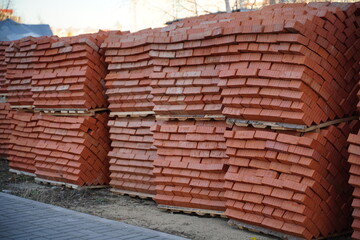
(262,230)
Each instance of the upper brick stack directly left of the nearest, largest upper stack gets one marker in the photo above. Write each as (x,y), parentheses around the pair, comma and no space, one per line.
(187,65)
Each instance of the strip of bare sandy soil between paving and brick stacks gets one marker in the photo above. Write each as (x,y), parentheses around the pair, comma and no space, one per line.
(139,212)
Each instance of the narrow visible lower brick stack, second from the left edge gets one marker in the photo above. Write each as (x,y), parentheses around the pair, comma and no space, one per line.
(23,140)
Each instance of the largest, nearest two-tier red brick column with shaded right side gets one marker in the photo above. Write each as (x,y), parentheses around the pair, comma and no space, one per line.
(294,66)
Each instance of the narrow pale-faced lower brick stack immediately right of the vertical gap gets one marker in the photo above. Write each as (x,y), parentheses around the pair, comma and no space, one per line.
(132,155)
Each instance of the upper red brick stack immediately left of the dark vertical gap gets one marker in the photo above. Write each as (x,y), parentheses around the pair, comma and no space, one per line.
(69,72)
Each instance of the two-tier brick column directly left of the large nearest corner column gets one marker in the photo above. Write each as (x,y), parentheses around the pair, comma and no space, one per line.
(190,166)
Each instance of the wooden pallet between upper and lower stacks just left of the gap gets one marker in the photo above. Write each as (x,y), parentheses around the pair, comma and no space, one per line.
(70,112)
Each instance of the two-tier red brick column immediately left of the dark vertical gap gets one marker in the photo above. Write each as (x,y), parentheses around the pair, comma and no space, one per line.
(68,77)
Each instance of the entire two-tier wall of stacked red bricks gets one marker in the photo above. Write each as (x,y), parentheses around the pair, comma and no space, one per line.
(285,63)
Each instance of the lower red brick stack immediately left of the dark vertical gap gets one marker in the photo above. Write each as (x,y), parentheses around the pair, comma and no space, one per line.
(72,149)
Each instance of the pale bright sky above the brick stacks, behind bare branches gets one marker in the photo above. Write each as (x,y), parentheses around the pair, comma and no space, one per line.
(103,14)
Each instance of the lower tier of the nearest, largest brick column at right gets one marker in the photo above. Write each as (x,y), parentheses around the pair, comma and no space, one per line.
(289,182)
